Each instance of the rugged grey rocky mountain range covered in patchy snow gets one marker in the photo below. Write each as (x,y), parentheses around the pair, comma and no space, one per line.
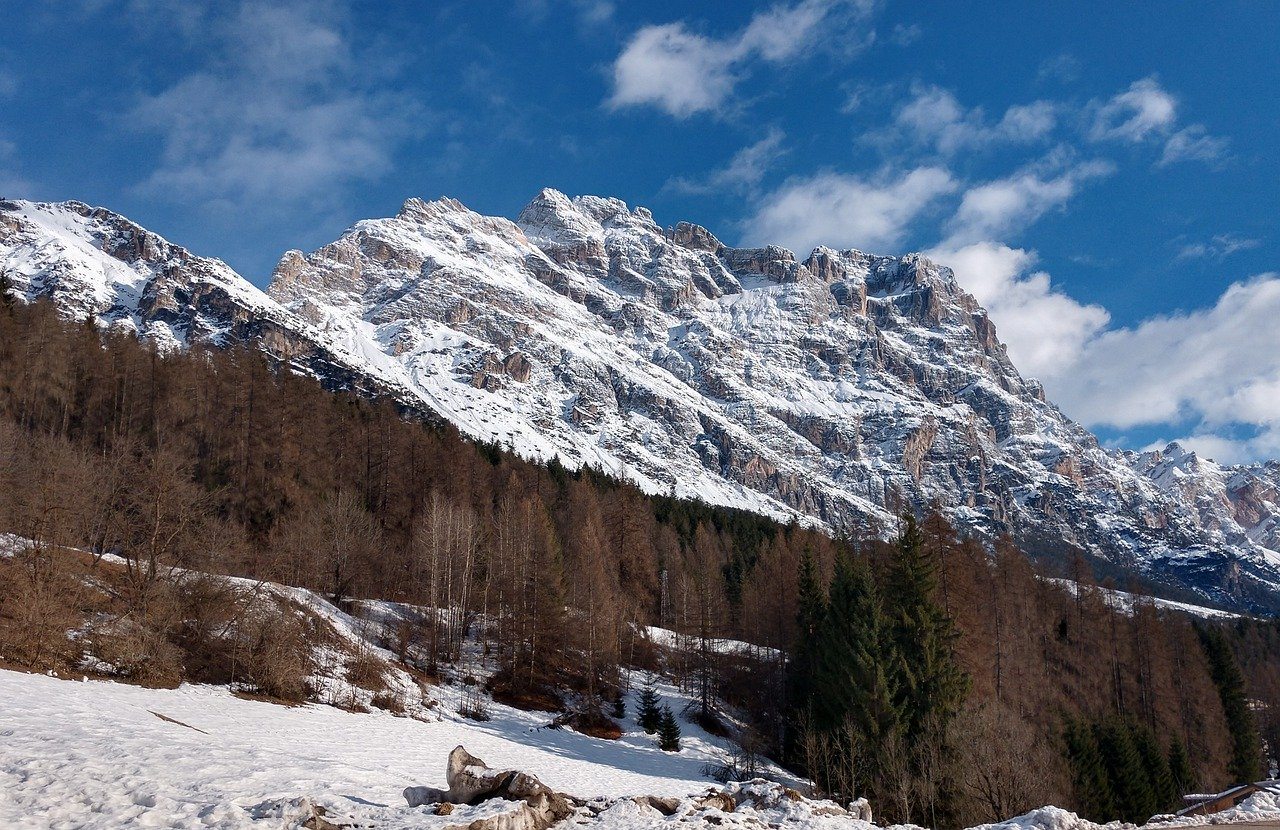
(840,389)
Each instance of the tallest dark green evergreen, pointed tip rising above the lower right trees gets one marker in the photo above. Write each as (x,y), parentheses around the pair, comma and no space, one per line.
(932,686)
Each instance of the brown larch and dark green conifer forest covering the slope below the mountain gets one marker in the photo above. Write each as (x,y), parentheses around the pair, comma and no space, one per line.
(945,678)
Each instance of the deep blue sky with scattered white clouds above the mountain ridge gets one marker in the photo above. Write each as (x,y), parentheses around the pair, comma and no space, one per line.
(1104,177)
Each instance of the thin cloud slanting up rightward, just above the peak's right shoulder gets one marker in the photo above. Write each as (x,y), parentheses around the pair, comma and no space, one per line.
(1004,207)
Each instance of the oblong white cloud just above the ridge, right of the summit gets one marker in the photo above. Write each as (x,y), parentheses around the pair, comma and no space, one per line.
(843,211)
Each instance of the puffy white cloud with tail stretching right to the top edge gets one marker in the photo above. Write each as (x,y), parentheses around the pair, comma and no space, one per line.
(683,72)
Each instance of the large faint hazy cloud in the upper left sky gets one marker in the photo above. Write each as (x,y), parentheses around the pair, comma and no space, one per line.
(282,113)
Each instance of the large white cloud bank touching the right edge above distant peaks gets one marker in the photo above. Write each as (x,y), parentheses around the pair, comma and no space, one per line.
(1217,368)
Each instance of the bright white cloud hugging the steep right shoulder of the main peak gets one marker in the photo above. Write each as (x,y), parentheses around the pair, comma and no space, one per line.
(1043,327)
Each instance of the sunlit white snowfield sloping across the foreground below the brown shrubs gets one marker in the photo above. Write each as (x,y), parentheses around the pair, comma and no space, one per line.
(100,755)
